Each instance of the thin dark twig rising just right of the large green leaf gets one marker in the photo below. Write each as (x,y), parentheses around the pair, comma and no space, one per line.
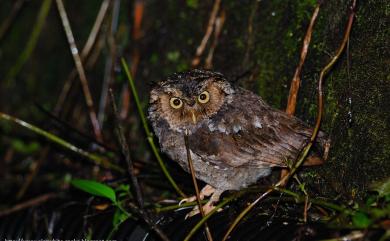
(126,154)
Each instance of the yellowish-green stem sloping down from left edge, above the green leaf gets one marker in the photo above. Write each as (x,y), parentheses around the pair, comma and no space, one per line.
(67,145)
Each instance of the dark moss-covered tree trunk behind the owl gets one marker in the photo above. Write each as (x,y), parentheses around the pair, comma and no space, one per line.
(357,90)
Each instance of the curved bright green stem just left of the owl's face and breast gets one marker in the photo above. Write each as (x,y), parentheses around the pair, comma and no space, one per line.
(149,134)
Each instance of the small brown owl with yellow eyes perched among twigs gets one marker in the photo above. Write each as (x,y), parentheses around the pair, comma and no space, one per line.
(235,138)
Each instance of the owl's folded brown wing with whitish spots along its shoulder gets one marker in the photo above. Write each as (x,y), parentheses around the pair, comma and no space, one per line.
(249,133)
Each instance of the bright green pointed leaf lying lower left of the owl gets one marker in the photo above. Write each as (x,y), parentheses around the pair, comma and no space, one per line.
(95,188)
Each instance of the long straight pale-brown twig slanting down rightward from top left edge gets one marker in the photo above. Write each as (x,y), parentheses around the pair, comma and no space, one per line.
(80,70)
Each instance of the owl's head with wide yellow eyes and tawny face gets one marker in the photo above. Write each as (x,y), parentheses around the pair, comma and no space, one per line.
(185,100)
